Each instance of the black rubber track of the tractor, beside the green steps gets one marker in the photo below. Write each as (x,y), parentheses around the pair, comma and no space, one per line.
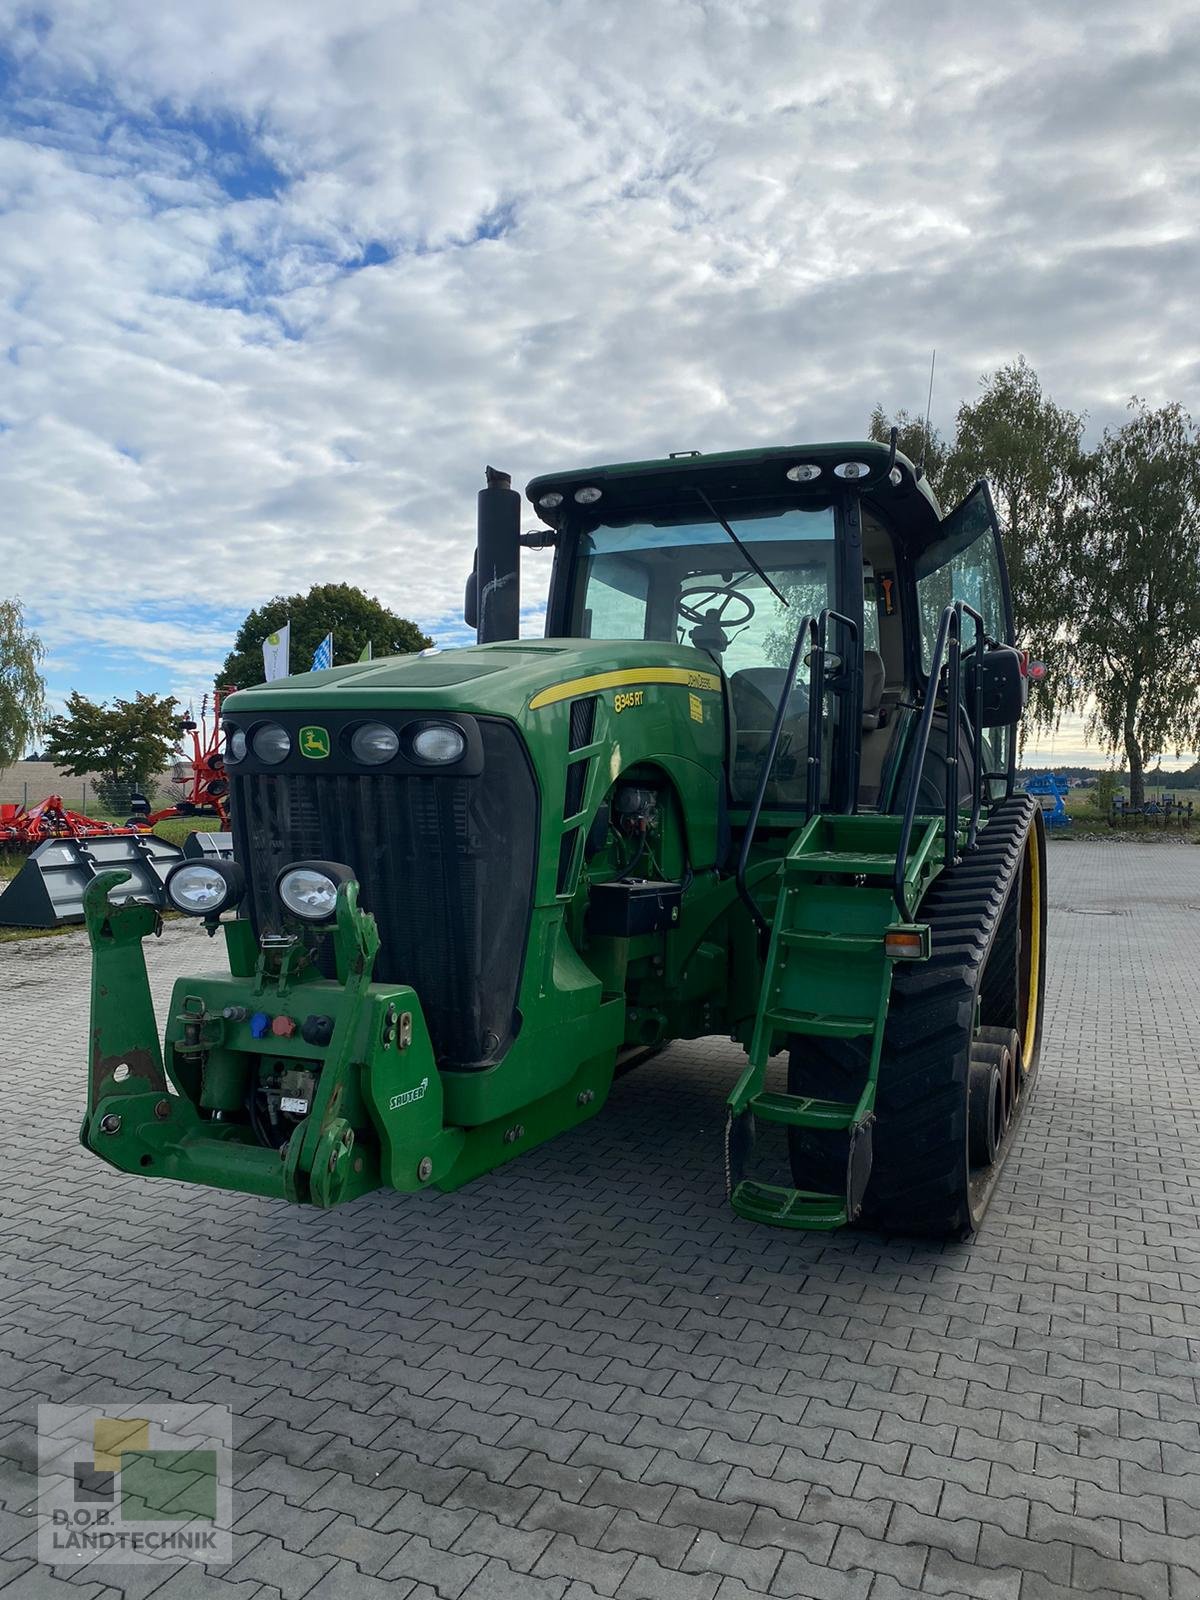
(919,1180)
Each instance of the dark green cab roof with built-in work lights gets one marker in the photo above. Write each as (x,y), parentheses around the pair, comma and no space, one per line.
(732,476)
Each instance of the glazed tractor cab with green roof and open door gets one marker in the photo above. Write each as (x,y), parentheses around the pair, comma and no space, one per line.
(738,556)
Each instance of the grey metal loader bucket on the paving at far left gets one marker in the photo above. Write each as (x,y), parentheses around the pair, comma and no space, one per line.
(49,889)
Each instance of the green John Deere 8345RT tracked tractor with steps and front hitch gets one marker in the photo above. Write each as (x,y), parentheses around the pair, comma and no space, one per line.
(754,782)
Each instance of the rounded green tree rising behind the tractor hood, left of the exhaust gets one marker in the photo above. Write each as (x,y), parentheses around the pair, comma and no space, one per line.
(354,617)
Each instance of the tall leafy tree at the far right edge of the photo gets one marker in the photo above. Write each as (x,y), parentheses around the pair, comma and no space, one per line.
(1132,559)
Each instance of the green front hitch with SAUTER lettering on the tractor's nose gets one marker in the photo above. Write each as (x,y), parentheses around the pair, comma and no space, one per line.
(374,1102)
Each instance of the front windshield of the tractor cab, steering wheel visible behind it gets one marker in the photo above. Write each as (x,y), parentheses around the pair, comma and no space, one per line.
(687,583)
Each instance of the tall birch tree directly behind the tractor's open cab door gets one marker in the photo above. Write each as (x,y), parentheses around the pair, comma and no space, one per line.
(1030,450)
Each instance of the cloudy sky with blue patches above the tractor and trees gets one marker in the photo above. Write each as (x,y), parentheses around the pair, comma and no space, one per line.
(278,281)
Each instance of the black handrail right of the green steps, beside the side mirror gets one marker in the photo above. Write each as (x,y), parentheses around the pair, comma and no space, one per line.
(950,633)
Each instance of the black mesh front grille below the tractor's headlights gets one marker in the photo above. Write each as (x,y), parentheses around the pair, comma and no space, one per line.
(446,865)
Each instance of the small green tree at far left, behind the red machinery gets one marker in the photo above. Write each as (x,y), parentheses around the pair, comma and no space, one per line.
(127,745)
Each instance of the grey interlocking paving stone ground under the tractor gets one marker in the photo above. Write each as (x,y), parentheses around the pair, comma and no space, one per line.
(585,1377)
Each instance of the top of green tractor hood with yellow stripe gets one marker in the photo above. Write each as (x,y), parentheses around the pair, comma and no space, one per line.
(505,679)
